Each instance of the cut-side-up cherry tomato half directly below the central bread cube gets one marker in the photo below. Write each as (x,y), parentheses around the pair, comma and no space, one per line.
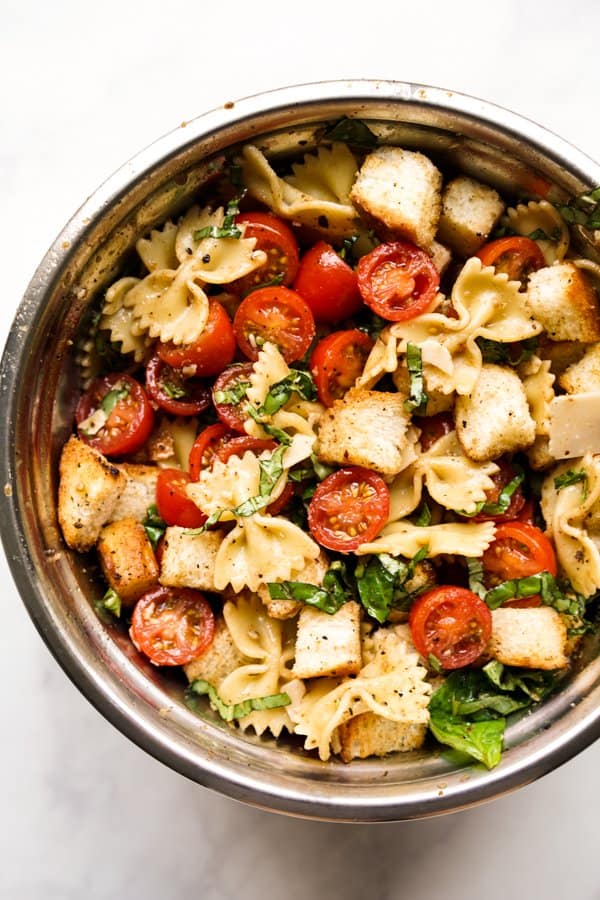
(348,508)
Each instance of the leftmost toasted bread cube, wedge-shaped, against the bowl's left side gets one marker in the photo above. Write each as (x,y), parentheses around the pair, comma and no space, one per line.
(89,489)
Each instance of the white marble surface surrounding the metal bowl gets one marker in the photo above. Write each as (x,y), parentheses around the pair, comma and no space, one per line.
(84,813)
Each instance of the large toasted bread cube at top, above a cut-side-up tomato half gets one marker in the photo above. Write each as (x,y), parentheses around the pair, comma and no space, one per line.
(399,192)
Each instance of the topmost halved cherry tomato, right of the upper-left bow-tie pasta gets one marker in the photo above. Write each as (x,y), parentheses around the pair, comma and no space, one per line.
(278,241)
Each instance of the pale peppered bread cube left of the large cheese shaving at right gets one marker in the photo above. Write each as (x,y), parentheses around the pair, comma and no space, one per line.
(494,418)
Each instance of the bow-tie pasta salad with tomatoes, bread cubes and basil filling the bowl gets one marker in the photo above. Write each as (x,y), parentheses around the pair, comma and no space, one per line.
(337,451)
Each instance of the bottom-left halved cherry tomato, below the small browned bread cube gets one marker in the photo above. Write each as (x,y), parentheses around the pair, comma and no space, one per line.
(172,626)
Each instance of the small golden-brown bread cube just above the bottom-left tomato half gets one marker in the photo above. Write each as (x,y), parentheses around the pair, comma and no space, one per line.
(127,559)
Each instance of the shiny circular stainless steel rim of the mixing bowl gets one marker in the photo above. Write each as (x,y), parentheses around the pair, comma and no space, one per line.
(153,734)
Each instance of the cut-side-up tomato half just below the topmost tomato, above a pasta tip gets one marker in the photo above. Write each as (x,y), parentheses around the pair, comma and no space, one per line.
(274,314)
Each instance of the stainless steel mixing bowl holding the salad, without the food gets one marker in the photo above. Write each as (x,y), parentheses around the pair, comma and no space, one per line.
(38,392)
